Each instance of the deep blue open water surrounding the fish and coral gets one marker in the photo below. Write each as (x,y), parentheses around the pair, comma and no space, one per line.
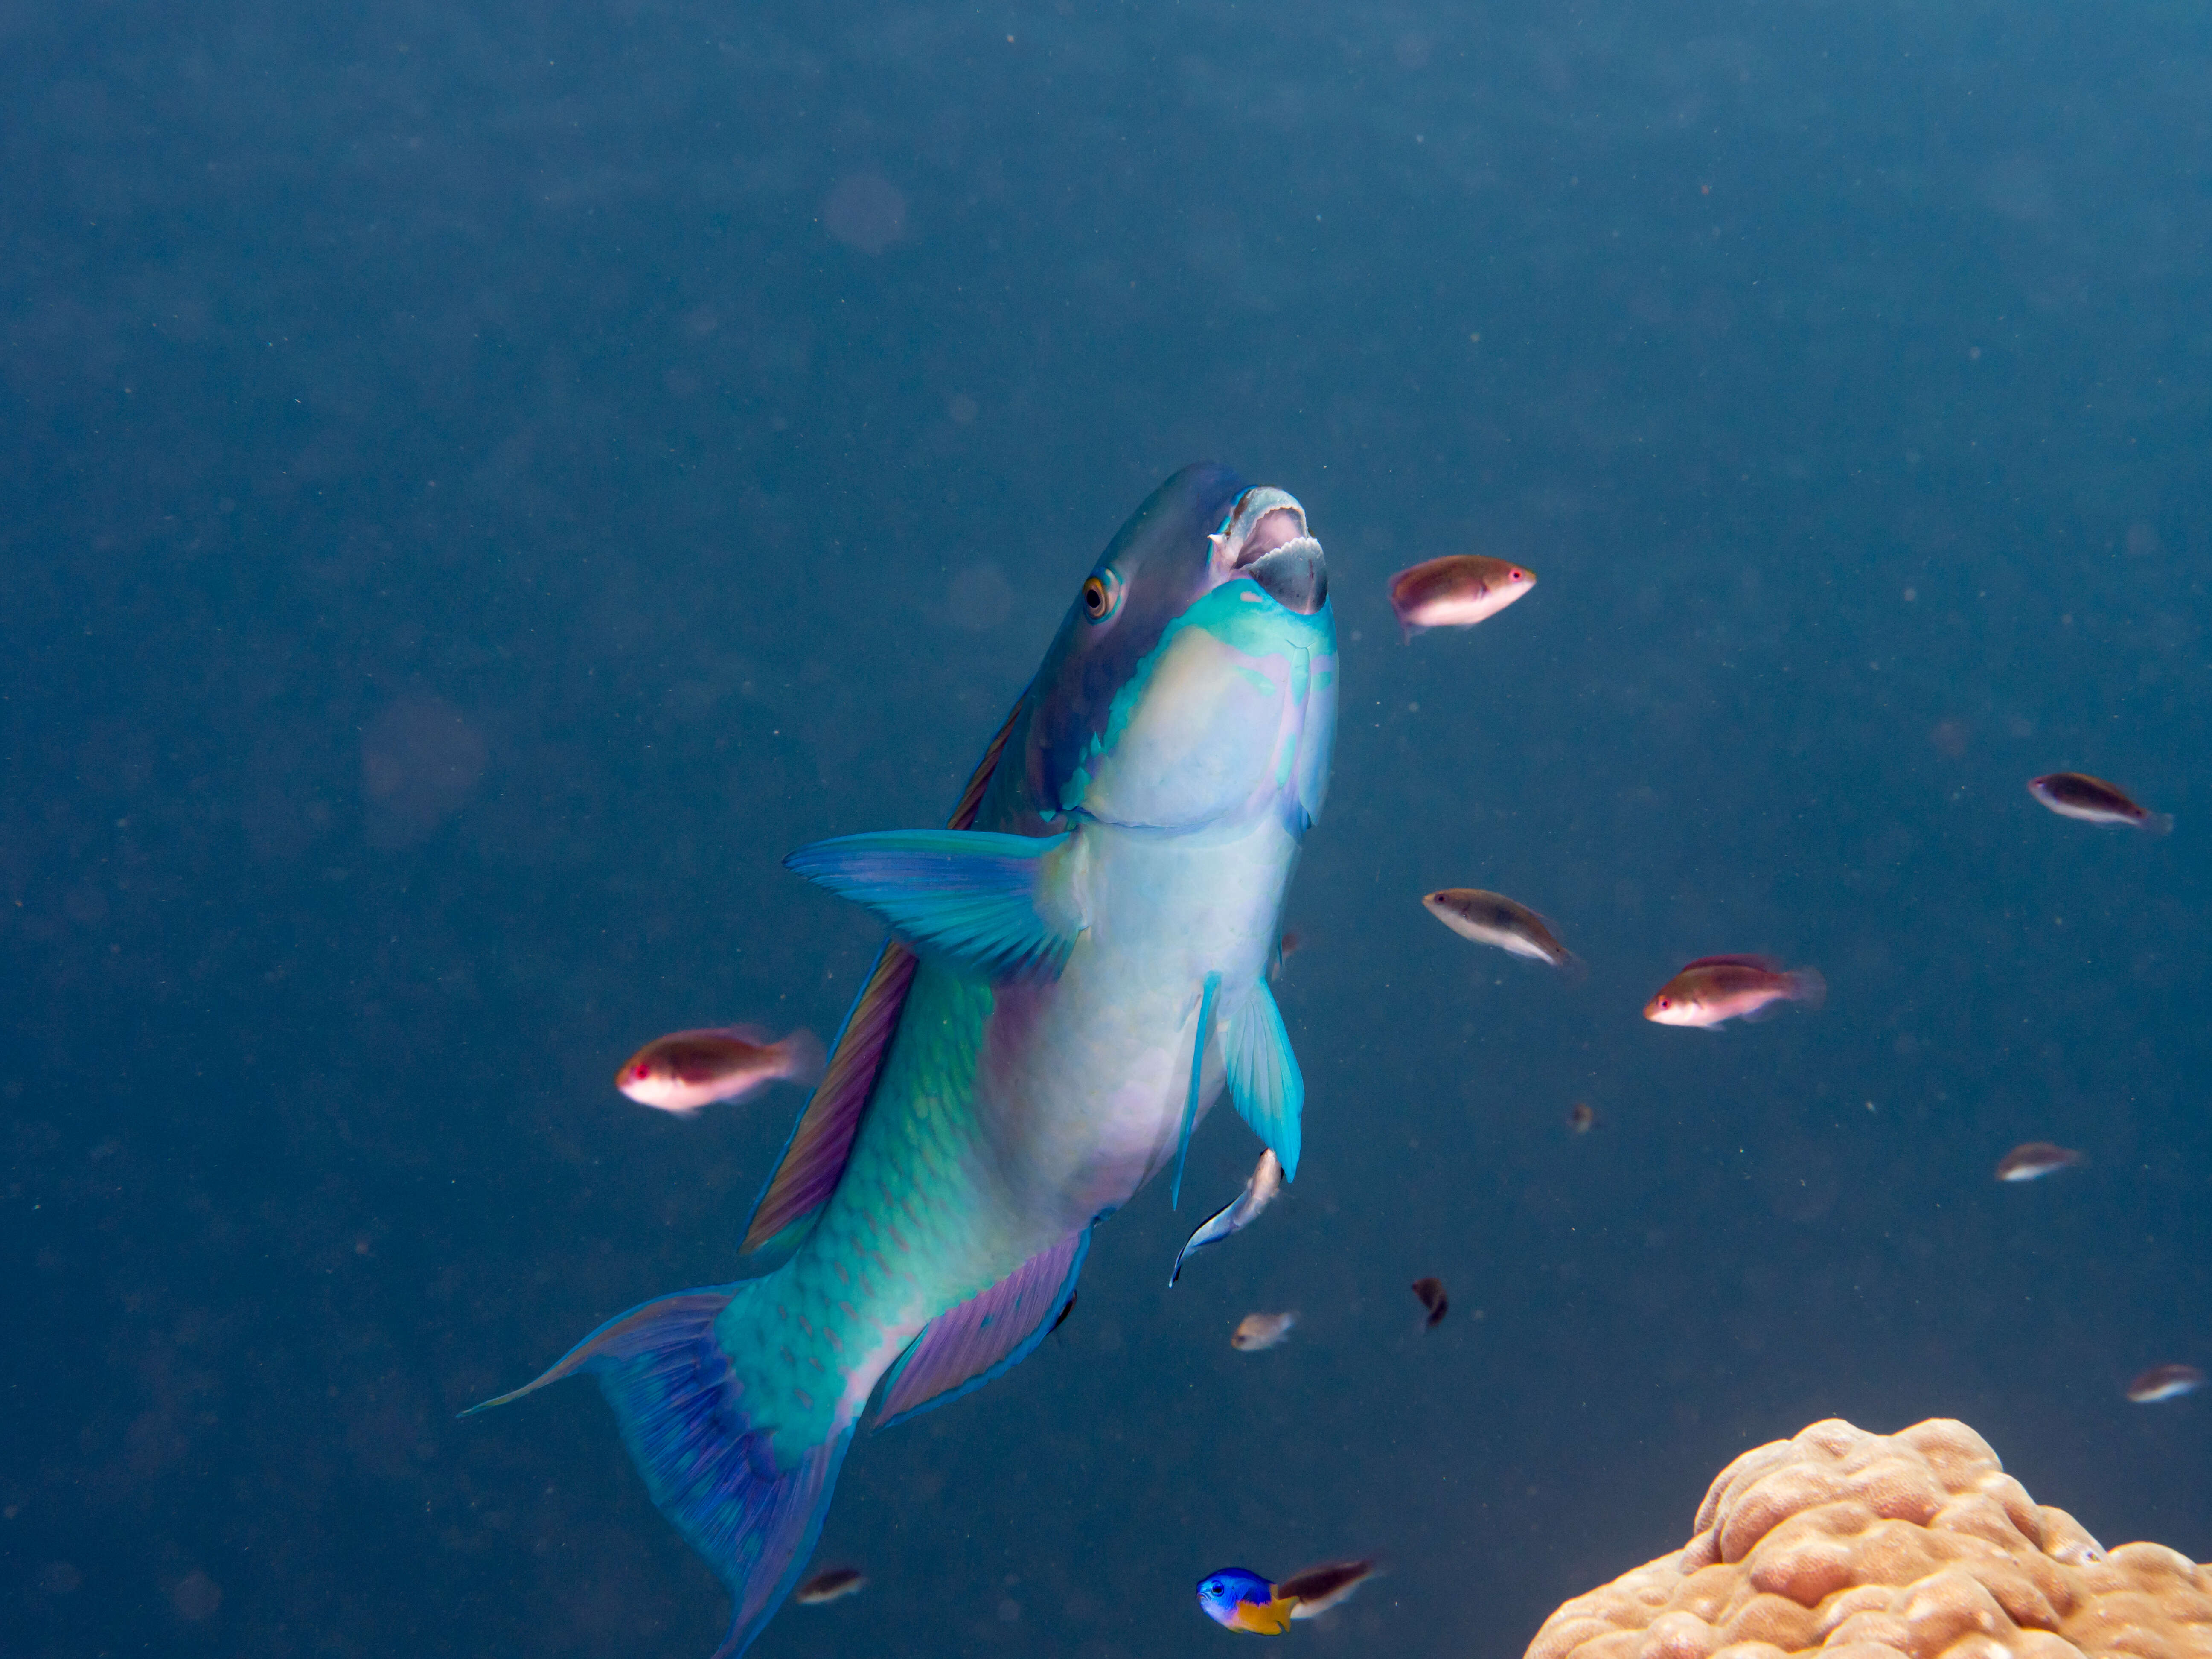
(483,483)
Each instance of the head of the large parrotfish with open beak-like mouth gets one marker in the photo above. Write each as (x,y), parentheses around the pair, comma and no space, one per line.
(1193,680)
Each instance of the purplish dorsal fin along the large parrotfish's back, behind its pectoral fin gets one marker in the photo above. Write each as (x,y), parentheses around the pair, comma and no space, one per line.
(815,1158)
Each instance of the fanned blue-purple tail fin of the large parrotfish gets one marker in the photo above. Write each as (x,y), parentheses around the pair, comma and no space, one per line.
(709,1463)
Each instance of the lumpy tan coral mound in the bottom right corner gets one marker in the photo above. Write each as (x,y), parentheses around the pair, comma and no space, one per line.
(1917,1545)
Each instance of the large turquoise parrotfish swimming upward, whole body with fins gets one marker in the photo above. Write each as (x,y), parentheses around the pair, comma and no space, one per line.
(1078,970)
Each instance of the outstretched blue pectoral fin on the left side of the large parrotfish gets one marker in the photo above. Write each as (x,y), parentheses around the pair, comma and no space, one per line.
(988,904)
